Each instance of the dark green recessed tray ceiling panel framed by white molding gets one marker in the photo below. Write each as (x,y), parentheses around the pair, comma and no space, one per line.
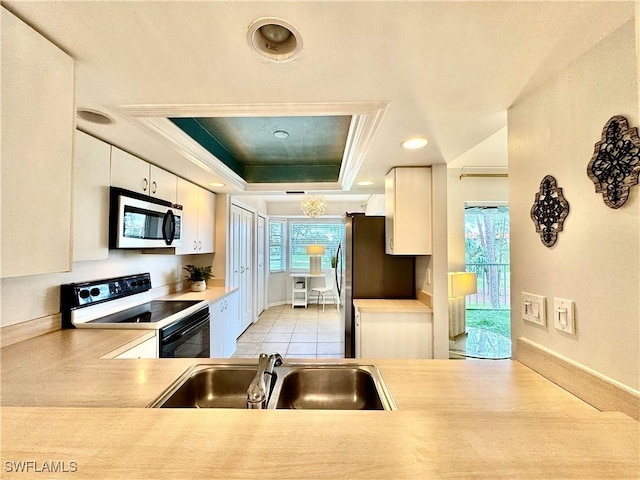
(310,150)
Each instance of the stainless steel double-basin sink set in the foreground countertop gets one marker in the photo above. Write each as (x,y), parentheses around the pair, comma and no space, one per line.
(331,386)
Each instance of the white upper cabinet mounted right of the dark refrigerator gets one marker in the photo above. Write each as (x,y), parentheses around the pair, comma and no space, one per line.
(407,211)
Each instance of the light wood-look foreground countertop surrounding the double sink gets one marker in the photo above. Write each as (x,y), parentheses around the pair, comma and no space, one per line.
(457,419)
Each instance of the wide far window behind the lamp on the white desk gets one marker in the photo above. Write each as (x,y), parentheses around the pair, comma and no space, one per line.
(302,234)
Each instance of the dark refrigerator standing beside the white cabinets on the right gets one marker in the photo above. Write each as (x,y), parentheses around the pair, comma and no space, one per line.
(369,272)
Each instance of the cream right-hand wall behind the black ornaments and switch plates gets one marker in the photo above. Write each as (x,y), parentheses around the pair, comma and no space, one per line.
(596,260)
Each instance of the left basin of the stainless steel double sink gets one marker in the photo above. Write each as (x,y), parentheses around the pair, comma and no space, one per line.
(209,386)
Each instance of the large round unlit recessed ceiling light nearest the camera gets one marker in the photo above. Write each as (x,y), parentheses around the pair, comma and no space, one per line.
(275,39)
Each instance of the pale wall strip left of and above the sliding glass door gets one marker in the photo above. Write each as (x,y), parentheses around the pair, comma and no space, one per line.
(459,191)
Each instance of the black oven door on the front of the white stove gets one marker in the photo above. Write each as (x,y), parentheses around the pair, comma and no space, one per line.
(187,338)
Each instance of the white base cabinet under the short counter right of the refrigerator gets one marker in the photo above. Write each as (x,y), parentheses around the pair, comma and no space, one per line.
(394,334)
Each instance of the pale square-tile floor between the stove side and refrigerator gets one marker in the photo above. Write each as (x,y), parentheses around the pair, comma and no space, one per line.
(295,333)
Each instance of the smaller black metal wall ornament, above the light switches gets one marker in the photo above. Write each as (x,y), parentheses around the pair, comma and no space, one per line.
(549,210)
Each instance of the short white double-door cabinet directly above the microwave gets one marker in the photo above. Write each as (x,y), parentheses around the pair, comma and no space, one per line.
(133,173)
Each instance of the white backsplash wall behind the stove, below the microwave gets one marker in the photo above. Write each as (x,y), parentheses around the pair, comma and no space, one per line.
(36,296)
